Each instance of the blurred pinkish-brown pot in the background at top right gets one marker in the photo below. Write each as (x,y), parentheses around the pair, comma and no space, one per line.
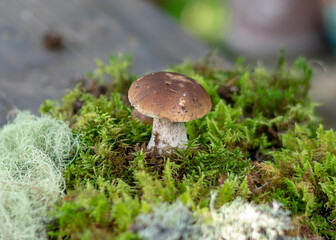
(260,27)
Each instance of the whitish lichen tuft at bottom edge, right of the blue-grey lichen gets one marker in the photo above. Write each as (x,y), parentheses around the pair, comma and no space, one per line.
(248,221)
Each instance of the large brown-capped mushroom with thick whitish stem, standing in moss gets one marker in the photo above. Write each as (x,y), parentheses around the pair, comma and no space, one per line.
(170,99)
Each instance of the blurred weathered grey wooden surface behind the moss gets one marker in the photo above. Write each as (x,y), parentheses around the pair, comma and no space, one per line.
(91,29)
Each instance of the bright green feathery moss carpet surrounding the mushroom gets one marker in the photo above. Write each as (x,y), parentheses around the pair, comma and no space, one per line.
(257,144)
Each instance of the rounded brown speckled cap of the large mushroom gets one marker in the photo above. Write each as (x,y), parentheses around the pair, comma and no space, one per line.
(170,96)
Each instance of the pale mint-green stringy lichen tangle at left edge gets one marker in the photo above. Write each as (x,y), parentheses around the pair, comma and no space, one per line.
(33,153)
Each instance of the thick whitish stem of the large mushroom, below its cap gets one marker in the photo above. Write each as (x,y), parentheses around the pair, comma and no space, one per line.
(167,135)
